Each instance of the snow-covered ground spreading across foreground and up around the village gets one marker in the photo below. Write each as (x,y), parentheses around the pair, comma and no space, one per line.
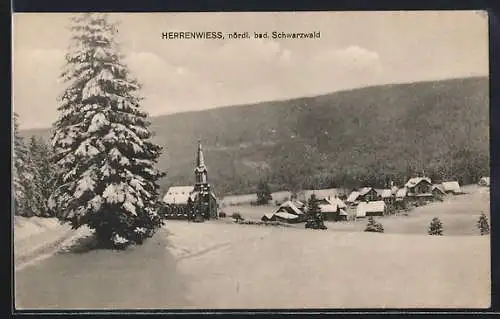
(220,264)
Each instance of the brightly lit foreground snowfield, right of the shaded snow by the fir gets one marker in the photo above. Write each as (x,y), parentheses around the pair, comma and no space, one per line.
(246,266)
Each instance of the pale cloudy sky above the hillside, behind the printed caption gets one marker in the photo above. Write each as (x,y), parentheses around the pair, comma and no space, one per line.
(355,49)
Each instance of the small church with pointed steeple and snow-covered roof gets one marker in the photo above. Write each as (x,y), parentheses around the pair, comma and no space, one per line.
(196,202)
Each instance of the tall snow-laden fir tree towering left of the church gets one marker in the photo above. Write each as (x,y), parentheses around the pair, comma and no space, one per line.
(107,178)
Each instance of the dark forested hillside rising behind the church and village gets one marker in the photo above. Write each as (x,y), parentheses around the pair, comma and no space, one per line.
(345,138)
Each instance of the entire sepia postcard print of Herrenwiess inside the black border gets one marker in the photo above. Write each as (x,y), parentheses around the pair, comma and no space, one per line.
(251,160)
